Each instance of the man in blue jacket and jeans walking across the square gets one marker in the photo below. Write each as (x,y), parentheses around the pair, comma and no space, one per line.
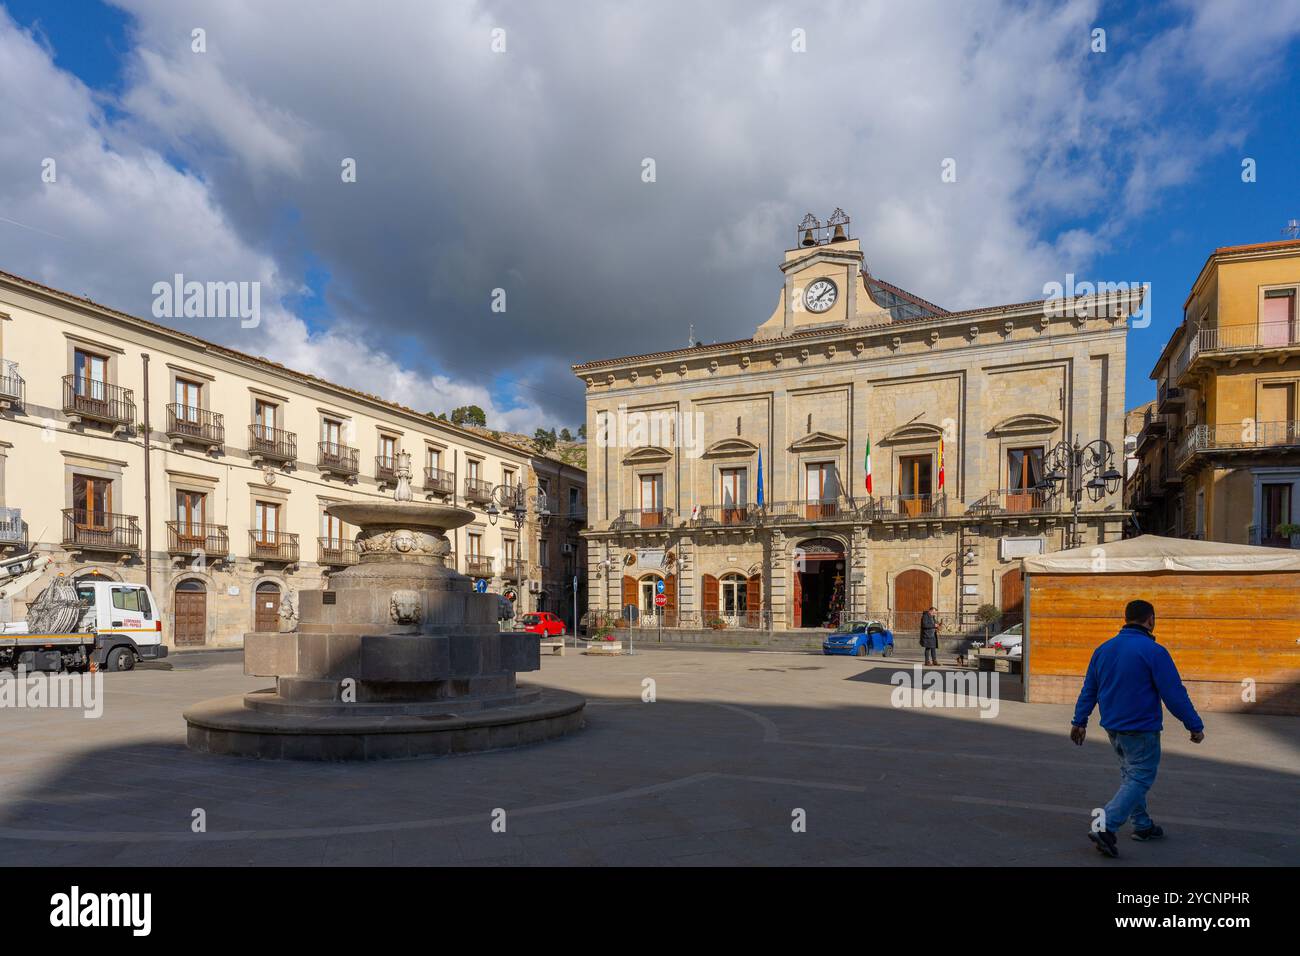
(1129,677)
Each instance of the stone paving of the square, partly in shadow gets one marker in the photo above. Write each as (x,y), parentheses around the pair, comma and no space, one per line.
(709,773)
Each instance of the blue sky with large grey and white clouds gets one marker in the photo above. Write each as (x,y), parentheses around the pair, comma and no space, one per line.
(501,226)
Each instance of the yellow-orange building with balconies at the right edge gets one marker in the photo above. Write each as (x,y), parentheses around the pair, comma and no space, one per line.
(1220,453)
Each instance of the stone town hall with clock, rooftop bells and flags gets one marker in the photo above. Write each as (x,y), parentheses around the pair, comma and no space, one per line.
(956,414)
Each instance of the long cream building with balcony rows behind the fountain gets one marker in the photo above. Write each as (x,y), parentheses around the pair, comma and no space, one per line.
(146,455)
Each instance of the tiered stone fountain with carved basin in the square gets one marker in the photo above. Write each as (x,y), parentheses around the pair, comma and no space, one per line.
(398,657)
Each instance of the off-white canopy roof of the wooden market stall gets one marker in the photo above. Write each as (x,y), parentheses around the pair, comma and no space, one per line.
(1150,553)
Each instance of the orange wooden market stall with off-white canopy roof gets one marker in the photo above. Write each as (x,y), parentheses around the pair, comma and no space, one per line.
(1229,615)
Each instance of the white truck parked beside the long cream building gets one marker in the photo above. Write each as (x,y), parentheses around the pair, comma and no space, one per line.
(90,624)
